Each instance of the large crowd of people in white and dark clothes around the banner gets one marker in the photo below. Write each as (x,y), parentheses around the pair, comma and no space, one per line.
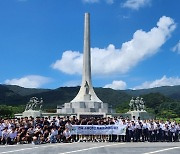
(42,130)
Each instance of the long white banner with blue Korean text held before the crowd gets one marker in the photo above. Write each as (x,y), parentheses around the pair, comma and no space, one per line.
(98,130)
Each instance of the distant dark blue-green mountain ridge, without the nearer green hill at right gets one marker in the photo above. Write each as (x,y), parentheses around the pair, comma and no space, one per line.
(16,95)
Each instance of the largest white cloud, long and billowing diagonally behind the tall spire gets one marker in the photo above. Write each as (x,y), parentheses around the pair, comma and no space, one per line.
(118,61)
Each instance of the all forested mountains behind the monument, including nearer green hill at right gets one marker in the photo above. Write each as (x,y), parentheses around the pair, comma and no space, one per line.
(161,101)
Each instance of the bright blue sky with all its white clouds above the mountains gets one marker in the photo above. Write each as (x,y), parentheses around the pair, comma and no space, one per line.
(135,43)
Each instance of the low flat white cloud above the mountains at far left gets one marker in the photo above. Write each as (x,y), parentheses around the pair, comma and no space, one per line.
(30,81)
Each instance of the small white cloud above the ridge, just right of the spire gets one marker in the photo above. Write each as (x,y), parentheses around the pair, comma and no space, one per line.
(117,85)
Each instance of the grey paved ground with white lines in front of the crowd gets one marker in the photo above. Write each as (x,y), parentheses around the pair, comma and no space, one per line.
(93,148)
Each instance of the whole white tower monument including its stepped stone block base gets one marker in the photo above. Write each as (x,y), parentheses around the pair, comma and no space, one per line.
(86,100)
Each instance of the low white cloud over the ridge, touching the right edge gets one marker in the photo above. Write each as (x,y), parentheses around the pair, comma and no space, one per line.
(164,81)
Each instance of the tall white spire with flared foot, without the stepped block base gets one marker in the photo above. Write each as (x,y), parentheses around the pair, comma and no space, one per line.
(86,92)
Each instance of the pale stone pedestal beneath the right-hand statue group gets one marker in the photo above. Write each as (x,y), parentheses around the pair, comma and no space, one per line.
(142,114)
